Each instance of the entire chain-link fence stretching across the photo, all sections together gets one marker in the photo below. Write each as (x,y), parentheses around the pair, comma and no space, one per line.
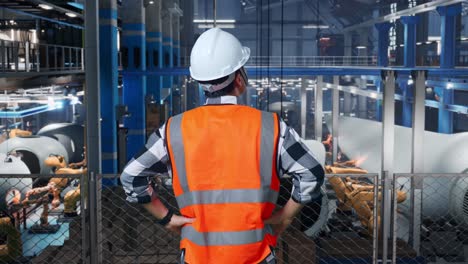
(42,224)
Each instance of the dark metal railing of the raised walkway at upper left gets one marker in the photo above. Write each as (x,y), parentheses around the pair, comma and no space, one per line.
(35,57)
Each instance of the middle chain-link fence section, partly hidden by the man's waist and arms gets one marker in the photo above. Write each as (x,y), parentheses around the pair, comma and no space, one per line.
(337,228)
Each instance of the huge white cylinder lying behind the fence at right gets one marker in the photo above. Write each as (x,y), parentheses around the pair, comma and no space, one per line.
(444,197)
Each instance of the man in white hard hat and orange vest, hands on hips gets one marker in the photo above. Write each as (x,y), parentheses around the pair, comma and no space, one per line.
(226,161)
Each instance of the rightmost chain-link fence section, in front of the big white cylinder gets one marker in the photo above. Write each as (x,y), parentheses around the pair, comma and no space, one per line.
(433,221)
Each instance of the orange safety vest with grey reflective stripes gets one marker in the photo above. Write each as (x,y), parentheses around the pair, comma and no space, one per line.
(223,160)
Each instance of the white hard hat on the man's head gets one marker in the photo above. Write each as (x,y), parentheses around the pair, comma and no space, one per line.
(216,54)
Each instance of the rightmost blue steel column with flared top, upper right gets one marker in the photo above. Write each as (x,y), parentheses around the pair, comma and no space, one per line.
(448,15)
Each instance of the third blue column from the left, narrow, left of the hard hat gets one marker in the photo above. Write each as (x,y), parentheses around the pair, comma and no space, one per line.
(154,50)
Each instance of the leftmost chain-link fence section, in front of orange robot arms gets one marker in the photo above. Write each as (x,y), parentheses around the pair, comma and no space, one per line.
(40,219)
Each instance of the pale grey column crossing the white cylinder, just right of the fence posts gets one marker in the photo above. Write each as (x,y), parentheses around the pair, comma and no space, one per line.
(417,156)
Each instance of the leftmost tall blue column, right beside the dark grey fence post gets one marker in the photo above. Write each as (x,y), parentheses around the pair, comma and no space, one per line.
(109,83)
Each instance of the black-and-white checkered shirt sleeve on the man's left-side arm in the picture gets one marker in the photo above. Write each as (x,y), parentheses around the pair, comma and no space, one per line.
(150,161)
